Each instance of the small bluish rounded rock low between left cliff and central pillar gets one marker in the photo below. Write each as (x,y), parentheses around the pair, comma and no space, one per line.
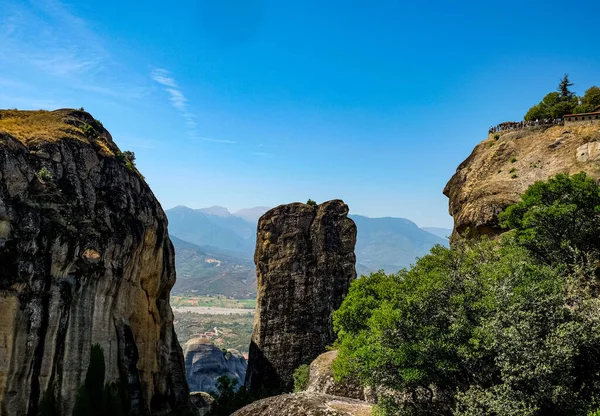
(205,363)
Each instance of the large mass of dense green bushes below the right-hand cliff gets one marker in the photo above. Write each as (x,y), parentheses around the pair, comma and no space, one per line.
(506,327)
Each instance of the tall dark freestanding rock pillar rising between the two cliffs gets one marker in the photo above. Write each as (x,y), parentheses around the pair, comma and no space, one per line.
(304,263)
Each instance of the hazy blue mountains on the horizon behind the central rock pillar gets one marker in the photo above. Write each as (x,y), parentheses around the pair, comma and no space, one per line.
(215,248)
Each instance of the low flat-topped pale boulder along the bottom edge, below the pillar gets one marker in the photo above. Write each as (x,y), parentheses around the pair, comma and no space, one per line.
(306,403)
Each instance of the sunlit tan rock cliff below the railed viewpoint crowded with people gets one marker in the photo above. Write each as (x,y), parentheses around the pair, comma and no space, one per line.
(500,169)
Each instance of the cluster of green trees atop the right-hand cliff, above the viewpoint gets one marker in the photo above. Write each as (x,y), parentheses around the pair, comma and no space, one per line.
(563,101)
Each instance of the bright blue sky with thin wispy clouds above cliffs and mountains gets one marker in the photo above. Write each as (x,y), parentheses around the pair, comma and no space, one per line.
(246,103)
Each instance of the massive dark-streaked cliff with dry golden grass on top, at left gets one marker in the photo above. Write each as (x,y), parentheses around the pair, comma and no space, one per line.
(85,258)
